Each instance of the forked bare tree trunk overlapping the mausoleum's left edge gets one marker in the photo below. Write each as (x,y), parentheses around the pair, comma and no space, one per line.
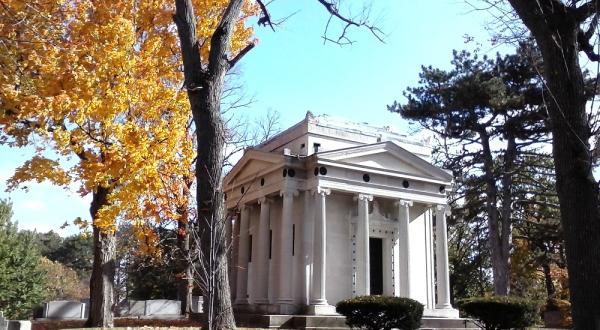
(205,89)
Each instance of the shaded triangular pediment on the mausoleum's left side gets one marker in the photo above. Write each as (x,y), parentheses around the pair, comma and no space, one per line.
(251,164)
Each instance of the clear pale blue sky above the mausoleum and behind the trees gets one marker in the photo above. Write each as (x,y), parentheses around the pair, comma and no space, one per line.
(292,71)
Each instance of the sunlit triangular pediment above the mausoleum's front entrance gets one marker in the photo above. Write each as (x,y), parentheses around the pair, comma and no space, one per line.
(387,156)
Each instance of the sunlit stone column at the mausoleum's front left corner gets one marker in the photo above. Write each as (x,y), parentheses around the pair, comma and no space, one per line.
(318,303)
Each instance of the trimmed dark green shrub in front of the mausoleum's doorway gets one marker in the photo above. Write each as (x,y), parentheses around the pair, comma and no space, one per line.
(379,312)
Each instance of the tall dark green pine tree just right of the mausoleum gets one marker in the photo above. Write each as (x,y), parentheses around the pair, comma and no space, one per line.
(489,113)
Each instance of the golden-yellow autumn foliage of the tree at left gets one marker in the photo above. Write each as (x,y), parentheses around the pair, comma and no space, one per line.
(99,82)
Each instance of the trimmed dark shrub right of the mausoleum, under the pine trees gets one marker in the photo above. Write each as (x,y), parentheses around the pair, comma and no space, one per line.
(498,312)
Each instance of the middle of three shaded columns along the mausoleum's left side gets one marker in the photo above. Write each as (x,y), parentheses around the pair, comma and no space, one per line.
(261,270)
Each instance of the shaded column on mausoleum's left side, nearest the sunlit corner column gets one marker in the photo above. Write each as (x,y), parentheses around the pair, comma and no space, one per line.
(284,253)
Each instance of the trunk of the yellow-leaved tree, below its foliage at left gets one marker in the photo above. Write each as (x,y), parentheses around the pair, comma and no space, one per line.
(103,269)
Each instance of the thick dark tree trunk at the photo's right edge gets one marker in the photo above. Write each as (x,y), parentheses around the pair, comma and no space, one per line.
(555,30)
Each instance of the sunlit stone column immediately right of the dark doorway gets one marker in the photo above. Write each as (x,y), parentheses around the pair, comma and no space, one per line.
(404,247)
